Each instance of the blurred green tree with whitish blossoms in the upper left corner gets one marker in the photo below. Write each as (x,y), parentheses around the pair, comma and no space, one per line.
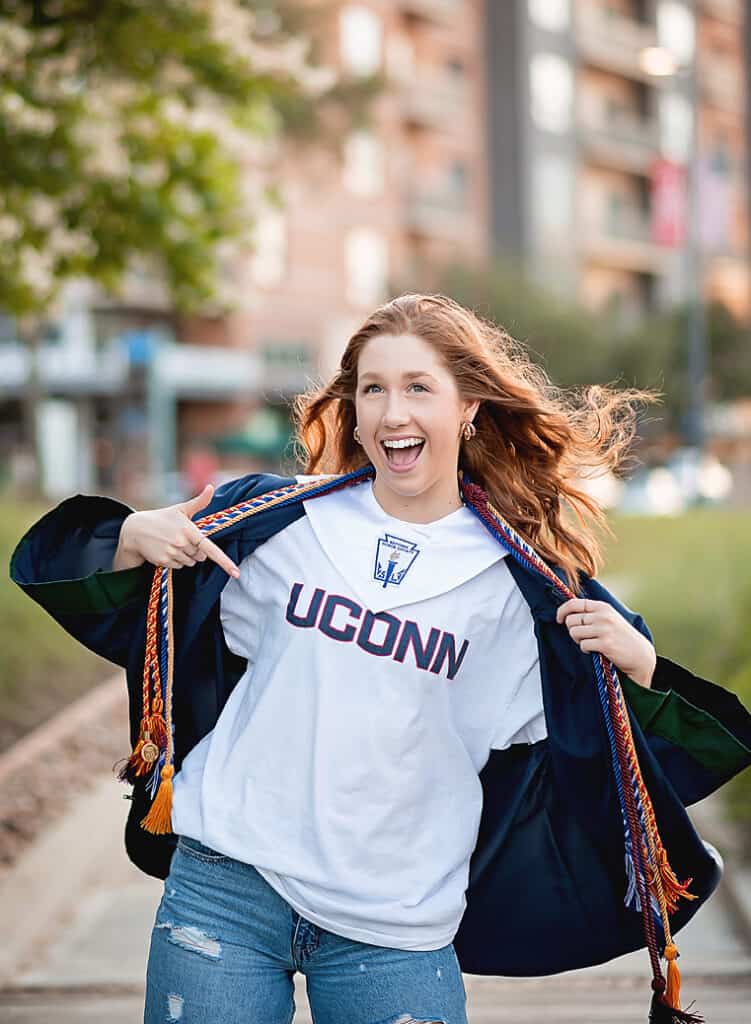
(136,133)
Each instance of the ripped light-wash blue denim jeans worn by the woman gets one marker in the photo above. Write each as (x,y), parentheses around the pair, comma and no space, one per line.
(226,948)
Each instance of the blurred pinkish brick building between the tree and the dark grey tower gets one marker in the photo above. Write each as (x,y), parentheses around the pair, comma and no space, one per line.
(409,193)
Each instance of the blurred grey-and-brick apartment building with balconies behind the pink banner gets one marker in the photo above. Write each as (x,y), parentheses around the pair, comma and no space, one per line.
(593,115)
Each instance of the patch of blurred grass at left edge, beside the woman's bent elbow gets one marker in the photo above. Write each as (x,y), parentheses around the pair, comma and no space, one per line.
(43,668)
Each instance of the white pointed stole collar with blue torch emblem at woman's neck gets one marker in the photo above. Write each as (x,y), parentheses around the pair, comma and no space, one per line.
(389,563)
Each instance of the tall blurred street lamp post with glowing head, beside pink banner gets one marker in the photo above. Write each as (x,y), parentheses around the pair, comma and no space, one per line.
(660,63)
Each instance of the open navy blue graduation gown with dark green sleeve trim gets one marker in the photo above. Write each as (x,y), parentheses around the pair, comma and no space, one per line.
(548,880)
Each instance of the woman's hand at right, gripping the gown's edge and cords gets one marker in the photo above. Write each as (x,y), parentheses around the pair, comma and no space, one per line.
(598,626)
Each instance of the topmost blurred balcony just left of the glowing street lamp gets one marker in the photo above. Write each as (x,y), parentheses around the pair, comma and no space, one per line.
(613,41)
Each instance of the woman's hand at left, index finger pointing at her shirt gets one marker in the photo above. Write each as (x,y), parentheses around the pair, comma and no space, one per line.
(169,537)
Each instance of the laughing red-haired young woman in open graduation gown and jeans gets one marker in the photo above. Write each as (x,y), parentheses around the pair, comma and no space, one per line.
(391,698)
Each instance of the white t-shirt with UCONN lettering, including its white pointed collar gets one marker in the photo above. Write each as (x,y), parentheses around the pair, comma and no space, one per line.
(386,661)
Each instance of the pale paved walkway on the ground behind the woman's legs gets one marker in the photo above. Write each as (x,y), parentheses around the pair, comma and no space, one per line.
(82,916)
